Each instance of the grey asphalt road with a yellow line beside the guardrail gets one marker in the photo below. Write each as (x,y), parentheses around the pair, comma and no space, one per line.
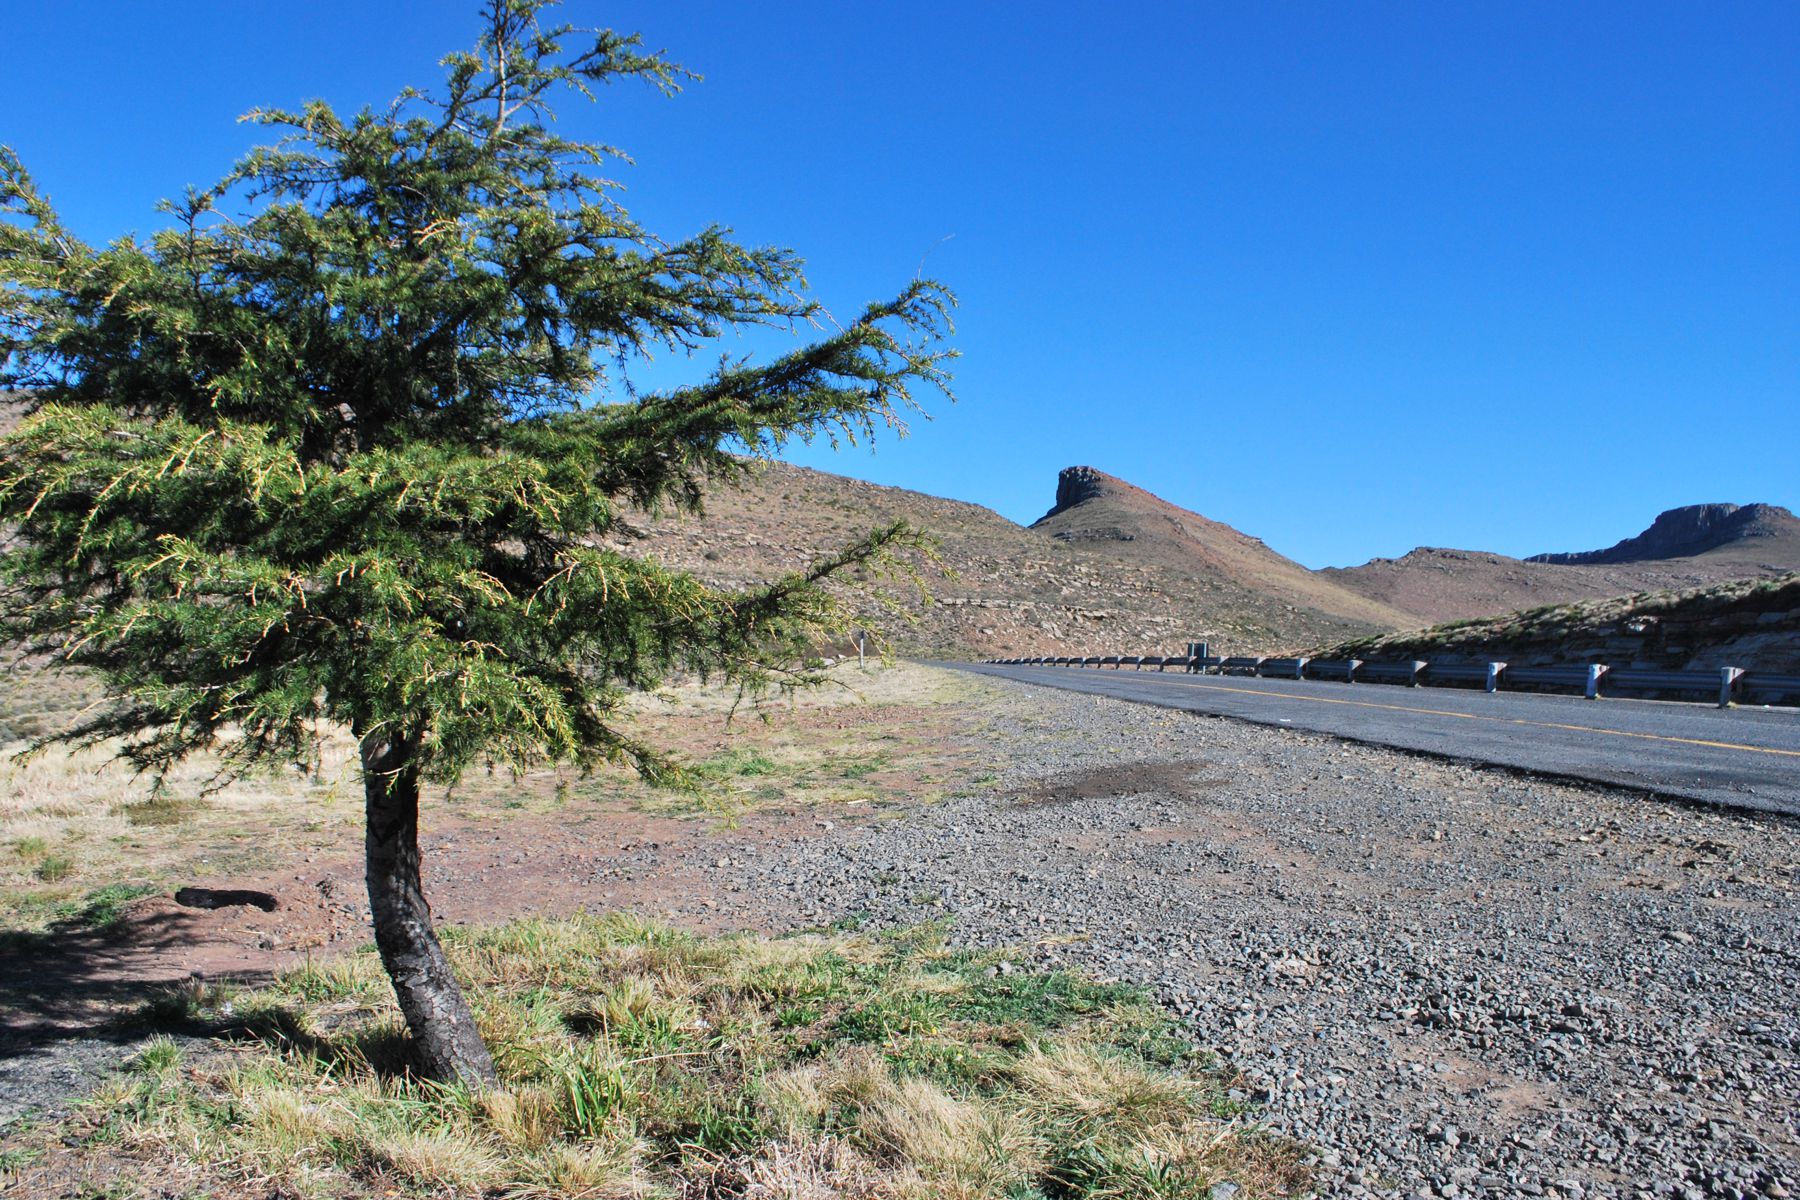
(1745,758)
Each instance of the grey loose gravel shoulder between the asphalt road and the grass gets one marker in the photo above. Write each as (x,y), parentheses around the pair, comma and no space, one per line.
(1453,981)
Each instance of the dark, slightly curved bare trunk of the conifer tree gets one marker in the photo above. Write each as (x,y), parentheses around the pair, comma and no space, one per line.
(444,1028)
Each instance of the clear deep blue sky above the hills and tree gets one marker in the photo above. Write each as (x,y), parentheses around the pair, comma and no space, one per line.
(1351,278)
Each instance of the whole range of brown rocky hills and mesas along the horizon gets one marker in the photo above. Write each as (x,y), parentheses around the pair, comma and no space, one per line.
(1117,569)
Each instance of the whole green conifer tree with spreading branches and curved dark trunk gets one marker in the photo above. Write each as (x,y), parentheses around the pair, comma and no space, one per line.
(341,449)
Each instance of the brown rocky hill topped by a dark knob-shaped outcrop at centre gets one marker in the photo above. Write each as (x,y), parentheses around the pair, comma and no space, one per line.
(1111,569)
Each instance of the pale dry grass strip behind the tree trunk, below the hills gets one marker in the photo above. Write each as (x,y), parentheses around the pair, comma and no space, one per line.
(76,821)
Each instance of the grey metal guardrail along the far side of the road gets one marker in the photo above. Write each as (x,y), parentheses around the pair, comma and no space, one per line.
(1590,679)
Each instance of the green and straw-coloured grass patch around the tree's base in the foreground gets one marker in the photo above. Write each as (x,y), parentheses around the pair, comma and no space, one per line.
(642,1062)
